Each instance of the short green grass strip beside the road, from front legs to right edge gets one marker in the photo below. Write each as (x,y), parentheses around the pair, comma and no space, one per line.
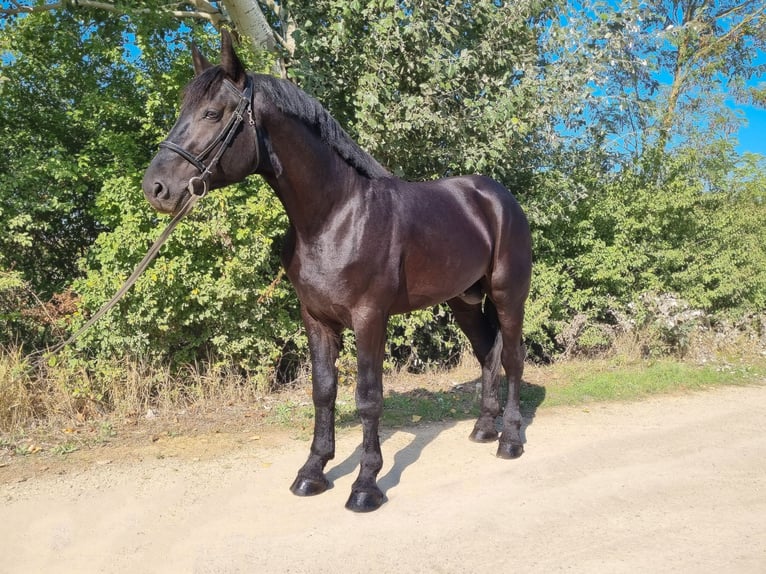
(454,395)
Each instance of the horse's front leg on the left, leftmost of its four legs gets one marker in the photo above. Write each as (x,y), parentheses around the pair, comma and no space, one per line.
(324,343)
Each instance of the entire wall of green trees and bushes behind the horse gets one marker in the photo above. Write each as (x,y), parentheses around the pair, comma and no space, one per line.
(628,190)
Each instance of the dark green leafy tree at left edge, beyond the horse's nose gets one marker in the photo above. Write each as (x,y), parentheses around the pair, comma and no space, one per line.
(66,110)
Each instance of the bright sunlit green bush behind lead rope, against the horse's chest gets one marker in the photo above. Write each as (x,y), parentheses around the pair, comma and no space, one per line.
(211,292)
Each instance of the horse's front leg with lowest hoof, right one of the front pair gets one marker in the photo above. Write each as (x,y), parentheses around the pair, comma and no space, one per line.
(370,344)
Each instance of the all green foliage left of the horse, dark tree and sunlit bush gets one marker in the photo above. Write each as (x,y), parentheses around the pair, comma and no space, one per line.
(72,192)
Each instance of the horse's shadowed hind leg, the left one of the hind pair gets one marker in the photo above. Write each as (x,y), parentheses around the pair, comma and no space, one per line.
(481,328)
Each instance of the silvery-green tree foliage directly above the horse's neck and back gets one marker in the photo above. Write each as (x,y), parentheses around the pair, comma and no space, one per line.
(429,88)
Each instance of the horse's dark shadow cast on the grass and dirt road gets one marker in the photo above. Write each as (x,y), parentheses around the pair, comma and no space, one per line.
(532,396)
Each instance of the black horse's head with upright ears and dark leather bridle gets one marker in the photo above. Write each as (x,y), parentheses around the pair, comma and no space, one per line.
(205,149)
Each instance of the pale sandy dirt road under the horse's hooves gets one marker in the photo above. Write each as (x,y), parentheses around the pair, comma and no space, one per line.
(670,484)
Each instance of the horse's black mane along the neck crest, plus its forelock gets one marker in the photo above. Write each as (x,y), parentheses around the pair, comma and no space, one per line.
(291,100)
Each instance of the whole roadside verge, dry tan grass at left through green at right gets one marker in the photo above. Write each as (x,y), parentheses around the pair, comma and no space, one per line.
(46,408)
